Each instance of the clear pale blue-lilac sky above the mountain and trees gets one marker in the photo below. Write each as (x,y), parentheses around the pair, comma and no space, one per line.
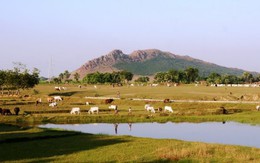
(59,35)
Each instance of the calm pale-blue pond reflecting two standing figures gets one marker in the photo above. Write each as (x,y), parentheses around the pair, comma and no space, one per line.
(210,132)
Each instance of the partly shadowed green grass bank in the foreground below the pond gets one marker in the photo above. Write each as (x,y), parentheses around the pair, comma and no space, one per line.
(45,145)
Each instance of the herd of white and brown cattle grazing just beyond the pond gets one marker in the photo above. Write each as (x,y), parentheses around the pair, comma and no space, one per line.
(53,102)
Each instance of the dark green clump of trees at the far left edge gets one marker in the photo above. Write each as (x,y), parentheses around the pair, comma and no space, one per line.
(15,80)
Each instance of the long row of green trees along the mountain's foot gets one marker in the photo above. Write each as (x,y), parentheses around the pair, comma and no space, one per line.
(187,76)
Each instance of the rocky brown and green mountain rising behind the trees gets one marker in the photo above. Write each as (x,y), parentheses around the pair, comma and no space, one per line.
(149,62)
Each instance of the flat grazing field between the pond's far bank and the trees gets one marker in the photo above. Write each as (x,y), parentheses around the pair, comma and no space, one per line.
(189,103)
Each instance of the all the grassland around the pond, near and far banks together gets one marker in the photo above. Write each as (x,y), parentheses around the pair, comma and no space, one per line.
(20,142)
